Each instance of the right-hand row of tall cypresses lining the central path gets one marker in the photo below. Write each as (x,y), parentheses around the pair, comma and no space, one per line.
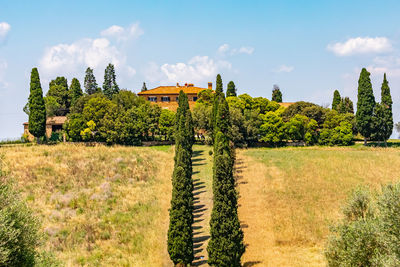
(225,247)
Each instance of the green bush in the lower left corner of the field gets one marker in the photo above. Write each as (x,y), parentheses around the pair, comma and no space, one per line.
(19,236)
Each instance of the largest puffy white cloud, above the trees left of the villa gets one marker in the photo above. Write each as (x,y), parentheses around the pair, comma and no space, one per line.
(71,59)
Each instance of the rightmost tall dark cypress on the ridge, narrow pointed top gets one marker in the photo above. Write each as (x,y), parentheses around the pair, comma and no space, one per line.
(383,117)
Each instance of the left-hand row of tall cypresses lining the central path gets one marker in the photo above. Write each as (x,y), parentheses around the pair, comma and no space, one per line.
(180,232)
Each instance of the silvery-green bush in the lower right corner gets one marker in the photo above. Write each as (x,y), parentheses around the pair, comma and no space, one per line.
(369,233)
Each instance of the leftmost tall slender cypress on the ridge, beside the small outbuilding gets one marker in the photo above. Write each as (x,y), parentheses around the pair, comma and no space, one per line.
(37,109)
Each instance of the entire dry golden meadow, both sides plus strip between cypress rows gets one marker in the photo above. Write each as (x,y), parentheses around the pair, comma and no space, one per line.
(109,205)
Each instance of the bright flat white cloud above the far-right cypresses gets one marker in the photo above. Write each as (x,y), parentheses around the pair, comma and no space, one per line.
(361,45)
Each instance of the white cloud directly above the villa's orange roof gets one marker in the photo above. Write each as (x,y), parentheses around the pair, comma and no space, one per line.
(199,69)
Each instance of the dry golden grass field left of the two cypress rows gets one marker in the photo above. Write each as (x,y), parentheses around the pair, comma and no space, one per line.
(99,206)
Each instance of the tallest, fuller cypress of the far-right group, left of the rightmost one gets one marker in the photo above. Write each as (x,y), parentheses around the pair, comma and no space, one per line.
(365,106)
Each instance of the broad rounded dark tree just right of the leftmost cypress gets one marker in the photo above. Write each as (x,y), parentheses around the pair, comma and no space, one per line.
(58,89)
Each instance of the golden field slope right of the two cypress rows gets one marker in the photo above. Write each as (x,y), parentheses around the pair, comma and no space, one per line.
(290,196)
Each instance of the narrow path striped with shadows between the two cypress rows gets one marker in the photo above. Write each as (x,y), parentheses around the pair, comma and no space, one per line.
(202,176)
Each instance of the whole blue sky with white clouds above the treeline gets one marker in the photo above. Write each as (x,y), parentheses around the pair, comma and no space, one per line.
(309,48)
